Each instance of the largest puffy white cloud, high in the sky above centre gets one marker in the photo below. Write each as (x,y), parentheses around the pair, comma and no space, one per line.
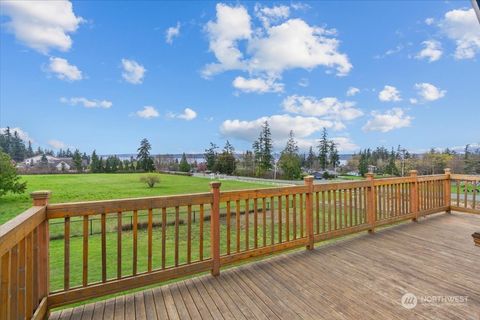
(270,50)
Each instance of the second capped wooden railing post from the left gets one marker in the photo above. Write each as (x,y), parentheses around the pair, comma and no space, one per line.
(215,228)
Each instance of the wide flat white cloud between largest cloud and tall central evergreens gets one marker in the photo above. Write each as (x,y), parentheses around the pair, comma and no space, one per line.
(328,108)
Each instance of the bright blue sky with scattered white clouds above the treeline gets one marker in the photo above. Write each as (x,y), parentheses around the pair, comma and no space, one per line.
(104,75)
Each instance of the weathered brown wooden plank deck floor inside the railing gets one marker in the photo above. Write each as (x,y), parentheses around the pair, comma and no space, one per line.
(362,277)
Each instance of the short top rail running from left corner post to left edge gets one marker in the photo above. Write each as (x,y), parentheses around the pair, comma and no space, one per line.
(19,227)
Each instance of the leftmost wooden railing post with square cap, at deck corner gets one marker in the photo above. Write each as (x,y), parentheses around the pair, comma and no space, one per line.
(40,198)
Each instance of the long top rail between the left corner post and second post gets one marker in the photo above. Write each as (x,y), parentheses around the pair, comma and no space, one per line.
(72,209)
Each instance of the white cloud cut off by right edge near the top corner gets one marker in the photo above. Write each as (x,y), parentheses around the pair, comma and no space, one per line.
(462,27)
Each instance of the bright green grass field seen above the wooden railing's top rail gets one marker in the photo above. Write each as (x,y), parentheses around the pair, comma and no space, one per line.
(84,187)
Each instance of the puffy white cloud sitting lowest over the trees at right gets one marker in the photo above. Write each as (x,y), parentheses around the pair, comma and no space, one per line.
(387,121)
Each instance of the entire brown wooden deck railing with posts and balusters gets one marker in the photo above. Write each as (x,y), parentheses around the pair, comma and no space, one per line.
(104,247)
